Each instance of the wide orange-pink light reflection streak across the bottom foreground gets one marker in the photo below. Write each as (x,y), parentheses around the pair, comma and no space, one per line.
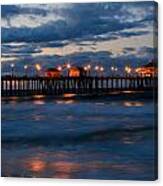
(63,168)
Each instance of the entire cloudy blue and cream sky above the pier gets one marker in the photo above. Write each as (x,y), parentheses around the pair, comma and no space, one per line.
(97,33)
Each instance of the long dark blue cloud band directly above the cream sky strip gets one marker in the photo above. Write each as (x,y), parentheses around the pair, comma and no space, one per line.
(60,30)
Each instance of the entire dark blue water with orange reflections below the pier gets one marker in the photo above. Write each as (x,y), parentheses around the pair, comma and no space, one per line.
(105,137)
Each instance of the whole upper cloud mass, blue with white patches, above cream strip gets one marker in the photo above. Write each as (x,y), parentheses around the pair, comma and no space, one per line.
(75,21)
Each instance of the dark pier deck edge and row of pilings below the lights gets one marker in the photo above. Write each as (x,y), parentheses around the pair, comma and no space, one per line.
(26,86)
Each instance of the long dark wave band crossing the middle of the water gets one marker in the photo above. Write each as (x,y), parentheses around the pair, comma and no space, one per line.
(63,139)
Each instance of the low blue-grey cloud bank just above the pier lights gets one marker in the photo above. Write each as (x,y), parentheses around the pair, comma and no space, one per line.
(103,57)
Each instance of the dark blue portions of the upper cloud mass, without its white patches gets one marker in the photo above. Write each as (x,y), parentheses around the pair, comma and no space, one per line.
(81,21)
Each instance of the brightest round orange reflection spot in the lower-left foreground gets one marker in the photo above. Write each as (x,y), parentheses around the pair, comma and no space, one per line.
(36,165)
